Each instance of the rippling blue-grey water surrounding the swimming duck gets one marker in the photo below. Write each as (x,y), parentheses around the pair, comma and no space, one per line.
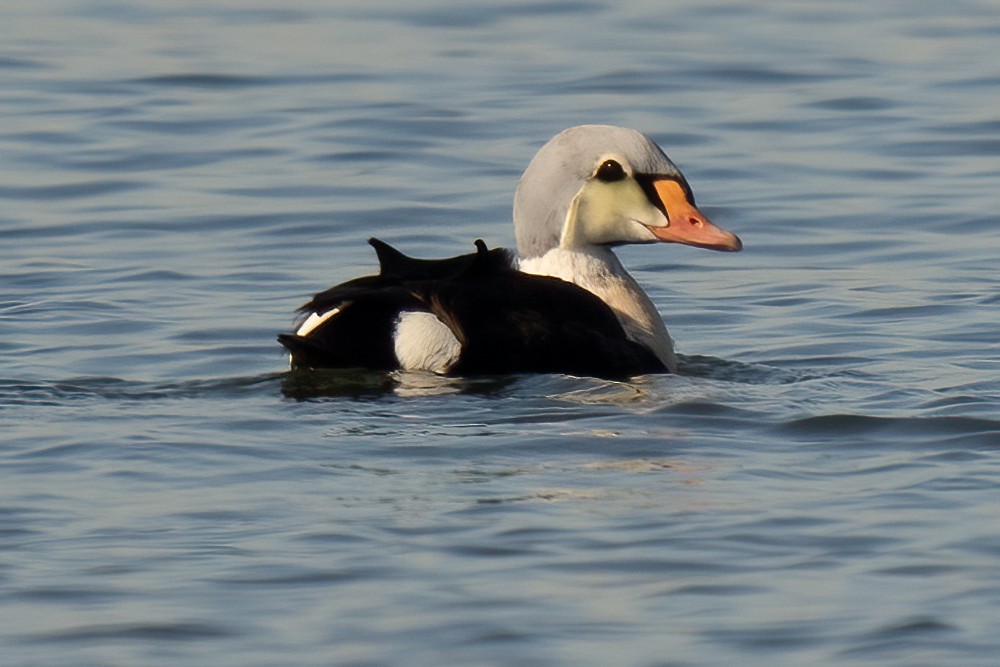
(819,485)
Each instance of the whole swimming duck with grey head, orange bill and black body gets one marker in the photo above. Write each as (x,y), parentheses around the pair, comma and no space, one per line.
(561,303)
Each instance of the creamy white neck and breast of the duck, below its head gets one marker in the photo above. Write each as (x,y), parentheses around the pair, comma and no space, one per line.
(598,270)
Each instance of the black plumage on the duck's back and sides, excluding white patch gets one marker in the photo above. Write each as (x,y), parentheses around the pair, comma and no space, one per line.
(506,321)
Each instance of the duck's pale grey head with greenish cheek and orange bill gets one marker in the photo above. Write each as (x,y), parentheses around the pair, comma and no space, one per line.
(596,185)
